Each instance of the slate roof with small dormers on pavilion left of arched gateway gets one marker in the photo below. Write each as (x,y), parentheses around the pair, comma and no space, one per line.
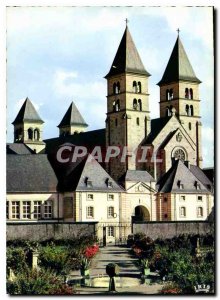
(73,175)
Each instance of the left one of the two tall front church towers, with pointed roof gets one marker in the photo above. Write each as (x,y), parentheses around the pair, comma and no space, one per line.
(128,116)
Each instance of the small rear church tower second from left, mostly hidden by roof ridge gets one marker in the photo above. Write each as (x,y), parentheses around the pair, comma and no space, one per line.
(72,122)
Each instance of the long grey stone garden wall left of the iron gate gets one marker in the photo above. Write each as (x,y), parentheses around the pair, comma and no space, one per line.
(44,231)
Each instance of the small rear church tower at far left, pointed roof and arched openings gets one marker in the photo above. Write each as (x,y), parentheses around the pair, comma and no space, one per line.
(28,127)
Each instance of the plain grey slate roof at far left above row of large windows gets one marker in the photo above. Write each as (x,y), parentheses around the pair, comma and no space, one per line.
(30,173)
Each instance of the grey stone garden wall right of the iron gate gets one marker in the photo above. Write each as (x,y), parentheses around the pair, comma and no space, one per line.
(171,229)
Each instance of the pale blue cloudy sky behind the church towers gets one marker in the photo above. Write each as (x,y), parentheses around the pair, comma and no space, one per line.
(56,55)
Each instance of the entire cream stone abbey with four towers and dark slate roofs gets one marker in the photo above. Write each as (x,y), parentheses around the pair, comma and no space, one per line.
(171,187)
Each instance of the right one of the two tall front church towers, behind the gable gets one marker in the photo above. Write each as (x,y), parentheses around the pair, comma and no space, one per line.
(179,89)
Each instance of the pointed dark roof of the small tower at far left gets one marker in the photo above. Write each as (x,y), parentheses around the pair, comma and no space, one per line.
(27,113)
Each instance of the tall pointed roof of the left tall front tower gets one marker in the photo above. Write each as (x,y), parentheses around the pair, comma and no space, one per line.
(127,58)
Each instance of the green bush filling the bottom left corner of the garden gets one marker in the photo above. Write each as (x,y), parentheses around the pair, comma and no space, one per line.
(34,282)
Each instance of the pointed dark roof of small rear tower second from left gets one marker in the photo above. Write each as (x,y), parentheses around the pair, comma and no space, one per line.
(72,117)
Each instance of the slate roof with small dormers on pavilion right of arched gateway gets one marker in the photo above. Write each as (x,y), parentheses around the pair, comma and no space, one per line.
(180,173)
